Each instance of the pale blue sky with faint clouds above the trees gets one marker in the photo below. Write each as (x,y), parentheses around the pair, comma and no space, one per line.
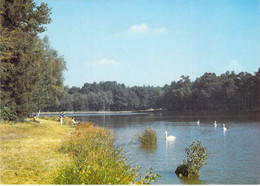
(148,42)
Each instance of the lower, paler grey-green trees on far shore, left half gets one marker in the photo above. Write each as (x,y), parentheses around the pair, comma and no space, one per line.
(109,95)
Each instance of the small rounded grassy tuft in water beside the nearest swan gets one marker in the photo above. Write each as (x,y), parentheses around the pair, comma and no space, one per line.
(148,137)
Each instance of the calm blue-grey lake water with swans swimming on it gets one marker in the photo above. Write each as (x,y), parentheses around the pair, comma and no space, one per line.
(233,156)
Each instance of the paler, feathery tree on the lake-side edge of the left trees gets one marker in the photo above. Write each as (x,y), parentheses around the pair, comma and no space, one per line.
(49,87)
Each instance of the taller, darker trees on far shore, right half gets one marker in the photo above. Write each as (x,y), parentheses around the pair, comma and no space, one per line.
(227,92)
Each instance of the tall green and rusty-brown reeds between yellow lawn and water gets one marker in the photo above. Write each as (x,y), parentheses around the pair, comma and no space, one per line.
(96,161)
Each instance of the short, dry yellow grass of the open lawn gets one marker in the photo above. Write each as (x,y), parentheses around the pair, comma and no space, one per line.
(29,152)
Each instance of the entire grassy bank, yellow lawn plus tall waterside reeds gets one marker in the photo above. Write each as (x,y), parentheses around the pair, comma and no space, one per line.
(47,153)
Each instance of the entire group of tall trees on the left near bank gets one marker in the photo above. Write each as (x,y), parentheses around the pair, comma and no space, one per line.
(31,71)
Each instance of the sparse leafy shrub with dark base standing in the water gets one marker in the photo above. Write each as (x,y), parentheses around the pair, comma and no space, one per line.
(196,158)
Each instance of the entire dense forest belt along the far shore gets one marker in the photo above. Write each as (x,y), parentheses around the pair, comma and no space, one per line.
(226,92)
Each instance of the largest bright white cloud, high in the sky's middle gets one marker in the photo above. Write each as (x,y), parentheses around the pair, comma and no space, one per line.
(143,28)
